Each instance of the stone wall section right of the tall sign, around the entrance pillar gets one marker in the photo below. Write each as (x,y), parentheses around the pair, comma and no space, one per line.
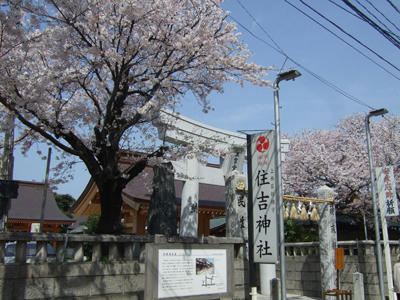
(303,268)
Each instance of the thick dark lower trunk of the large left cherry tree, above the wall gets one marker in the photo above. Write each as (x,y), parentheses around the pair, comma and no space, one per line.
(111,203)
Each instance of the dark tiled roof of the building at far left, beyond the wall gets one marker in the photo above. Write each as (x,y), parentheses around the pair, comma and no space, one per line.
(28,205)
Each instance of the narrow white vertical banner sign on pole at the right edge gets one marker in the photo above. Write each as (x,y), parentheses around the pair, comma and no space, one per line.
(386,189)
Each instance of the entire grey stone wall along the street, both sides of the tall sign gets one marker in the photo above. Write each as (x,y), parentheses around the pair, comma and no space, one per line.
(121,275)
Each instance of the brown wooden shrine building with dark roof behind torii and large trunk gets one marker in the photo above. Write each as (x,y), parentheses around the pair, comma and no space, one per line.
(136,199)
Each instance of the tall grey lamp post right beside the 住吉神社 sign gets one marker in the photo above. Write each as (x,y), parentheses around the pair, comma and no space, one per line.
(289,75)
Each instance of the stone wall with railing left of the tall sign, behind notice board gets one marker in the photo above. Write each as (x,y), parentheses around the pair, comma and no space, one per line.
(119,276)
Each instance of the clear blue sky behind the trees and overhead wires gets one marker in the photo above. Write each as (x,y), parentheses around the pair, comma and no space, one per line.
(305,103)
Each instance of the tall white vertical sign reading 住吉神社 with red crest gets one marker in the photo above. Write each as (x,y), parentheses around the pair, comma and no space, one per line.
(263,219)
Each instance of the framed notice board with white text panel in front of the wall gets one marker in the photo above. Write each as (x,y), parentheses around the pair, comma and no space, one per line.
(189,271)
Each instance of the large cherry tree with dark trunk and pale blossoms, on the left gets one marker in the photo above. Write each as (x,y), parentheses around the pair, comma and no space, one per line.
(89,76)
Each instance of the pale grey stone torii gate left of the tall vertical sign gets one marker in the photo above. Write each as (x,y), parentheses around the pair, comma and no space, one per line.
(176,128)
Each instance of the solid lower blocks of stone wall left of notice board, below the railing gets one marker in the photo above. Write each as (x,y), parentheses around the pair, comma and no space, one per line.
(83,280)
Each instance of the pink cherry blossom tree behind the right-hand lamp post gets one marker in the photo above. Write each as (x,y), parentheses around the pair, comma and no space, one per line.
(338,158)
